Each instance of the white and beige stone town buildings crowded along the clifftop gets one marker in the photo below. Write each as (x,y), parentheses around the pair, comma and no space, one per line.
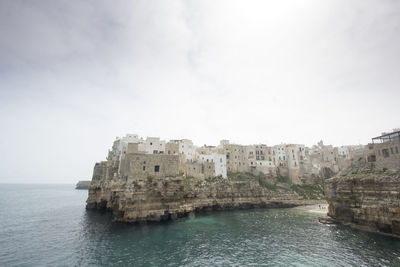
(134,157)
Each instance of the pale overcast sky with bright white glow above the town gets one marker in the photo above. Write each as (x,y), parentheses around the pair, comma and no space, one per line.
(76,74)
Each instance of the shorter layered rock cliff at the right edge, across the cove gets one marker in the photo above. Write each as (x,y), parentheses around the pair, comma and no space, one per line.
(366,200)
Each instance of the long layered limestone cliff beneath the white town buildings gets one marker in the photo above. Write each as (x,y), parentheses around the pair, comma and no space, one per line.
(165,198)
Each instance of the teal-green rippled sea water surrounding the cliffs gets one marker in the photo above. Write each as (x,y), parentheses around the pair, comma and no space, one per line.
(47,225)
